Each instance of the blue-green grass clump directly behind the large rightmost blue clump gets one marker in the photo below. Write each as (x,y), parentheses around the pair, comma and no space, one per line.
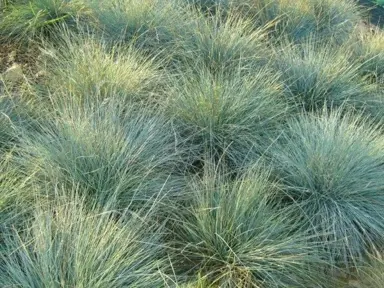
(316,74)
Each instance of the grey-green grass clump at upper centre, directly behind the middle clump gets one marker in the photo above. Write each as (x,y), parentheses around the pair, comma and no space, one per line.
(223,44)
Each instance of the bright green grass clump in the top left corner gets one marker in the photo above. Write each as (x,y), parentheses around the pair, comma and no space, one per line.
(29,20)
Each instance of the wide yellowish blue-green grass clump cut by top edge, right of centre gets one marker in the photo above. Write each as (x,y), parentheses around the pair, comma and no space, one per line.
(327,19)
